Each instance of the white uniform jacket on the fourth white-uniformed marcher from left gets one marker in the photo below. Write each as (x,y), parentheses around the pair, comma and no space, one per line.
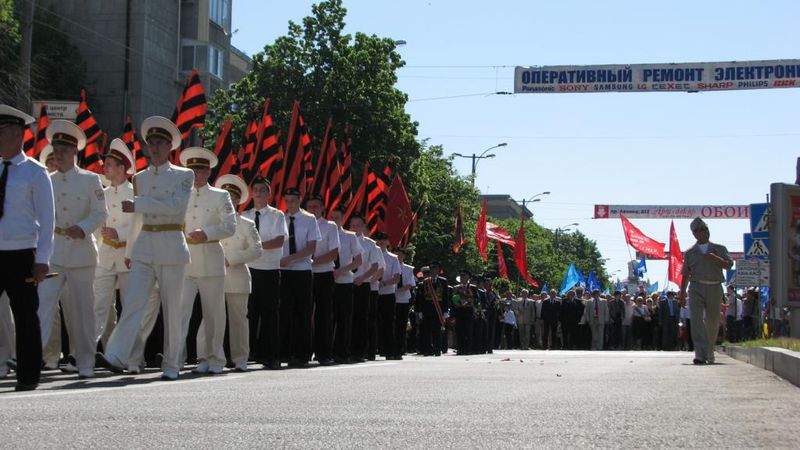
(210,209)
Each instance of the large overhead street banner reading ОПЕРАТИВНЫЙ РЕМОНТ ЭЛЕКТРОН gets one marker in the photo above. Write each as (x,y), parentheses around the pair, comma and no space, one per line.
(674,77)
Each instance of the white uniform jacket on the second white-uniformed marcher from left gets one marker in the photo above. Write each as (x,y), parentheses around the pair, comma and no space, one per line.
(112,253)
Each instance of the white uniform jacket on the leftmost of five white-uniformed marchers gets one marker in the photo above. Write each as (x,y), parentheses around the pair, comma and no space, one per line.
(80,201)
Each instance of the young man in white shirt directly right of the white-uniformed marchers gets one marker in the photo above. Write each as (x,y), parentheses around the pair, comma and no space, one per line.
(263,307)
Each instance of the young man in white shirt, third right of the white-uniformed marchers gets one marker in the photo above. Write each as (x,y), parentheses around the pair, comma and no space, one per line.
(325,255)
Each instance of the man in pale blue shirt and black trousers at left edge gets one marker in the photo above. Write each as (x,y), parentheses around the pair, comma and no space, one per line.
(27,216)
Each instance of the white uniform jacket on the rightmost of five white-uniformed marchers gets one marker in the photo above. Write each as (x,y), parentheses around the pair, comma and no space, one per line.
(241,248)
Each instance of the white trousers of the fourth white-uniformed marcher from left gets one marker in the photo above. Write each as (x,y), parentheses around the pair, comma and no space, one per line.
(212,300)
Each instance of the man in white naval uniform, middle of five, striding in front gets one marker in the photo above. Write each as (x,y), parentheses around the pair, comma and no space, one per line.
(157,250)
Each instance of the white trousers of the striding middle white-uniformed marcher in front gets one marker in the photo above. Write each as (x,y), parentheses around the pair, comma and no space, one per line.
(141,280)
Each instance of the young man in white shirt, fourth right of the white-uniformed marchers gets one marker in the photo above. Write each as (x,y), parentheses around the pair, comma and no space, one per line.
(350,259)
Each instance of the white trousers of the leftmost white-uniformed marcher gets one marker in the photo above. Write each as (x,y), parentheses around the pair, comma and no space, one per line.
(78,309)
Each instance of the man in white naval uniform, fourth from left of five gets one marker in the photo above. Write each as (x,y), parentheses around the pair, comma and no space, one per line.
(209,218)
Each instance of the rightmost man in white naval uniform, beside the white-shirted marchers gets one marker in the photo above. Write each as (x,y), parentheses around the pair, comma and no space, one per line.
(241,248)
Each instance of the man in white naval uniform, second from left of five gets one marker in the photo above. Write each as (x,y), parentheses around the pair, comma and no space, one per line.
(112,272)
